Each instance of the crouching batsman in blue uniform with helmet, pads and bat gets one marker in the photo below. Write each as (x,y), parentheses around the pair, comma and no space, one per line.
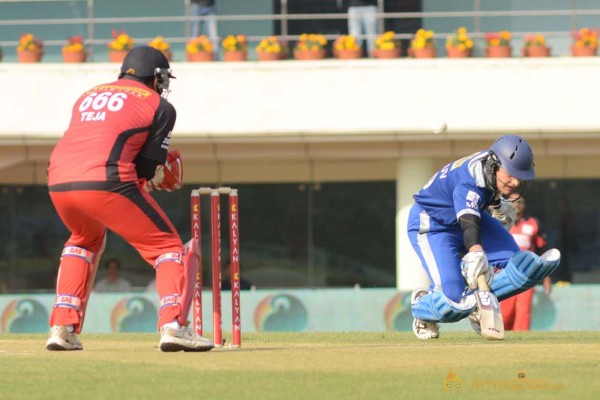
(459,226)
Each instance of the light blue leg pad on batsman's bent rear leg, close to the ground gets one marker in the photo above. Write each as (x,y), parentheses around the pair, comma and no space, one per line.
(436,307)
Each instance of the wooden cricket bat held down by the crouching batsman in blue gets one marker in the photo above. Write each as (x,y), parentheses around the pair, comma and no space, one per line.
(492,325)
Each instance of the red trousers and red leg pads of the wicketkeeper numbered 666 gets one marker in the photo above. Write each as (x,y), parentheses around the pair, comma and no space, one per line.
(134,215)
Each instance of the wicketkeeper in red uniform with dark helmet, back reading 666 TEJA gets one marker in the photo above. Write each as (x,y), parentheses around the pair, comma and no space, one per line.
(114,152)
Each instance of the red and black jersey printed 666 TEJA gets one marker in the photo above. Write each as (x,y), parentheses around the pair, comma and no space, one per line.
(111,125)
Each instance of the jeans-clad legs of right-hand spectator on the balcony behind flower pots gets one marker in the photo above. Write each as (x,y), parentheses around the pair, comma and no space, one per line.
(362,20)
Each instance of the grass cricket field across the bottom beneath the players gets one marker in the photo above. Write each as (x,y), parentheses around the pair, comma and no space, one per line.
(552,365)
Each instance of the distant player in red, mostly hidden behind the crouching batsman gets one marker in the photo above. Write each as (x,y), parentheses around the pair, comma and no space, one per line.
(516,310)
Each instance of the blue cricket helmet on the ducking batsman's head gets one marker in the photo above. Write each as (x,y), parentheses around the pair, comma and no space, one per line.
(514,155)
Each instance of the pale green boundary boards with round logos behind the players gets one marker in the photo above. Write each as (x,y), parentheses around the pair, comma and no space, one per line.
(298,310)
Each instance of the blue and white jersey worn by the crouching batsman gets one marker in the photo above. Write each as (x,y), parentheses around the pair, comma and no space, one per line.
(457,189)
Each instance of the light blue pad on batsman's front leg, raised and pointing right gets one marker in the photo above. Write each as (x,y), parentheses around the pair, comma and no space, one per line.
(523,271)
